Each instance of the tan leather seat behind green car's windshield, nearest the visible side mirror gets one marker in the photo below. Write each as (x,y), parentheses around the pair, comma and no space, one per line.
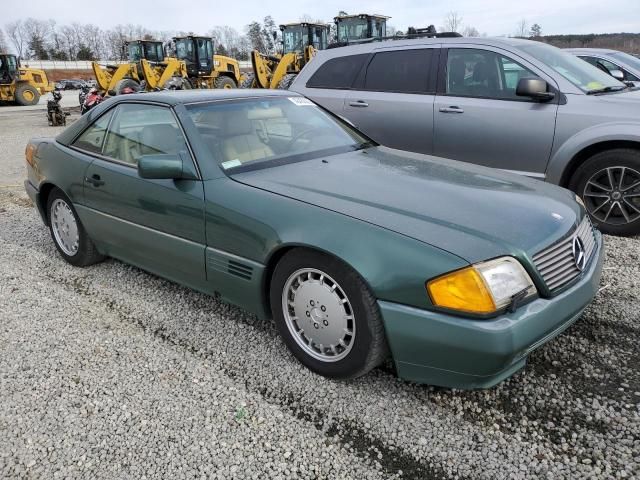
(241,141)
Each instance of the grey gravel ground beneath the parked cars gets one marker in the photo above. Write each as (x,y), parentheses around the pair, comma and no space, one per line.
(109,372)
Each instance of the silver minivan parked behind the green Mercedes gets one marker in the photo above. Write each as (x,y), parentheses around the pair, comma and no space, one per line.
(516,105)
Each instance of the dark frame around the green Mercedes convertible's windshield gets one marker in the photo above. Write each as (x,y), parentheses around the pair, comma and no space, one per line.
(366,142)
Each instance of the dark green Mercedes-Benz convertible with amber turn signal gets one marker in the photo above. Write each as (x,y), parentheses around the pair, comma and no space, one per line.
(358,251)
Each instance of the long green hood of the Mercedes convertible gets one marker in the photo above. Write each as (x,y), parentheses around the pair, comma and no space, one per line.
(474,212)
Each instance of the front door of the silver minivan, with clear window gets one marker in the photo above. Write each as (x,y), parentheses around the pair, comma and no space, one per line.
(480,119)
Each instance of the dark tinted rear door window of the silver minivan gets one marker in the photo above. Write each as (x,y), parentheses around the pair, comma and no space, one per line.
(403,71)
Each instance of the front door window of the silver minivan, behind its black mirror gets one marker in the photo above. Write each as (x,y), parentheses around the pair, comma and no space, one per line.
(483,74)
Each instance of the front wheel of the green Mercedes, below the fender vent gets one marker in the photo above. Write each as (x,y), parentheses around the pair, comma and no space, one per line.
(354,355)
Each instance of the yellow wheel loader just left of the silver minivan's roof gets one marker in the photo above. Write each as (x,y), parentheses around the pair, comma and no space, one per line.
(300,41)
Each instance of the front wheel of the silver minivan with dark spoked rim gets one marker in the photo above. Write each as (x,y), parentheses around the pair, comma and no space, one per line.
(609,185)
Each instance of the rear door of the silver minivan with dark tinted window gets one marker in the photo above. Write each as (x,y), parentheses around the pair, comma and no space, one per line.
(393,101)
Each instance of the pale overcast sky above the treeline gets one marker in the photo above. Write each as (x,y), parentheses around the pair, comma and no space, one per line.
(494,17)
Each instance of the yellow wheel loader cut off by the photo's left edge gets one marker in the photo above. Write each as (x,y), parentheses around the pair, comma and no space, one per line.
(22,85)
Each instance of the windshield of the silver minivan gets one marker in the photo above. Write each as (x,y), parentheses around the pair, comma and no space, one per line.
(582,74)
